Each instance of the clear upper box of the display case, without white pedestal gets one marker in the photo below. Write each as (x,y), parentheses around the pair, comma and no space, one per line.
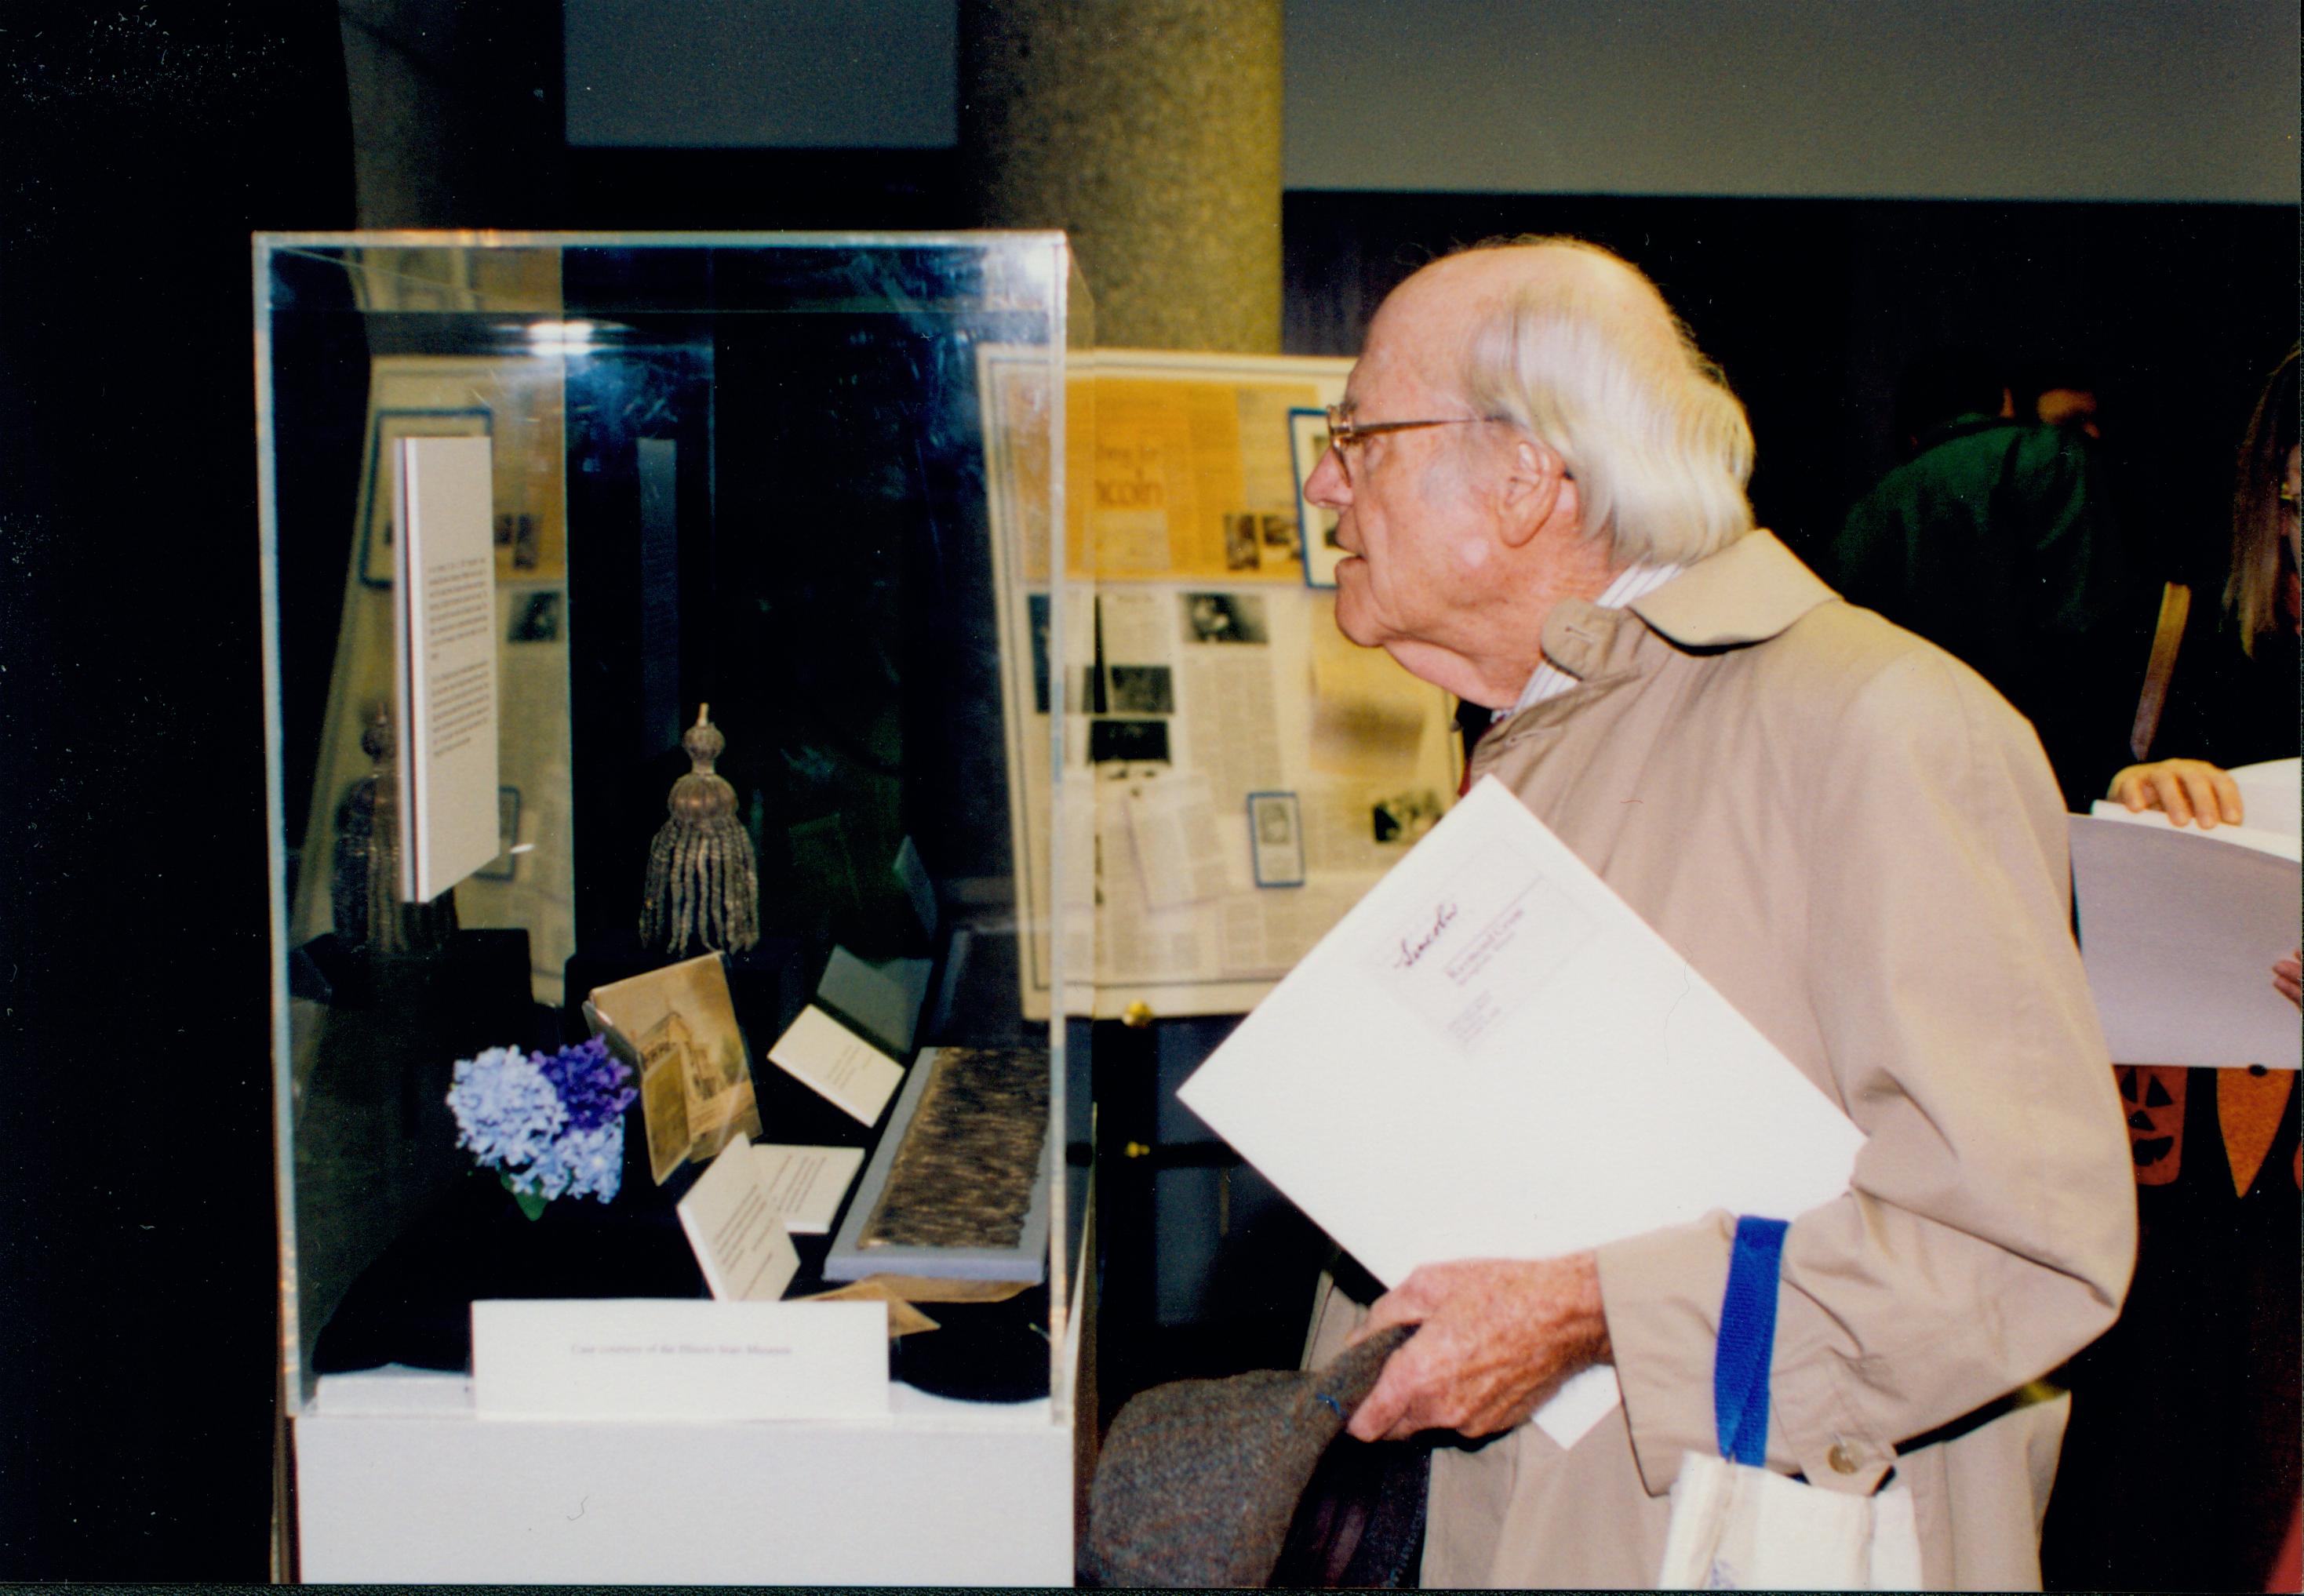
(538,506)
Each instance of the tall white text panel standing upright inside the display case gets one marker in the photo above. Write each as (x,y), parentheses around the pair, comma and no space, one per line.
(444,614)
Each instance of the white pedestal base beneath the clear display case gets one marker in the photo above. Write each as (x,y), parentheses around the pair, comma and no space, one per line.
(397,1480)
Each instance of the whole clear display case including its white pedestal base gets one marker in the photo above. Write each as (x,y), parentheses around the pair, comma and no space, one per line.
(808,482)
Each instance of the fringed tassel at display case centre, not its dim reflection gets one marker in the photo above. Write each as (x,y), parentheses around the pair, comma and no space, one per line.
(702,879)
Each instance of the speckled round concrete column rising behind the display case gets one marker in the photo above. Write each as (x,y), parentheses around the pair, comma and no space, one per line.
(1151,132)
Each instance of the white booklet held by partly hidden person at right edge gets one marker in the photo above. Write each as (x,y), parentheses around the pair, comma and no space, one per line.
(2178,932)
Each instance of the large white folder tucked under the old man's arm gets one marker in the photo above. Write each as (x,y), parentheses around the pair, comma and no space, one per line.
(1494,1056)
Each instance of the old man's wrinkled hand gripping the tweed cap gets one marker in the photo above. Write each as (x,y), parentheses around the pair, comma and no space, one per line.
(1496,1335)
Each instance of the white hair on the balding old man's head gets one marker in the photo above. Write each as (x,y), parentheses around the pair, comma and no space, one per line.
(1591,360)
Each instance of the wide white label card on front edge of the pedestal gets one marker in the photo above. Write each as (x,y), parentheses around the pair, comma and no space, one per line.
(679,1360)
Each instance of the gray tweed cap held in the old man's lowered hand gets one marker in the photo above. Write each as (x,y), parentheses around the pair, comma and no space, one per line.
(1202,1480)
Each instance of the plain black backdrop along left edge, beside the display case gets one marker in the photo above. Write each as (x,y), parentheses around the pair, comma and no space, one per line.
(137,1256)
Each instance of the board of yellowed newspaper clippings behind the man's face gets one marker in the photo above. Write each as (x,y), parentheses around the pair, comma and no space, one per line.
(1238,770)
